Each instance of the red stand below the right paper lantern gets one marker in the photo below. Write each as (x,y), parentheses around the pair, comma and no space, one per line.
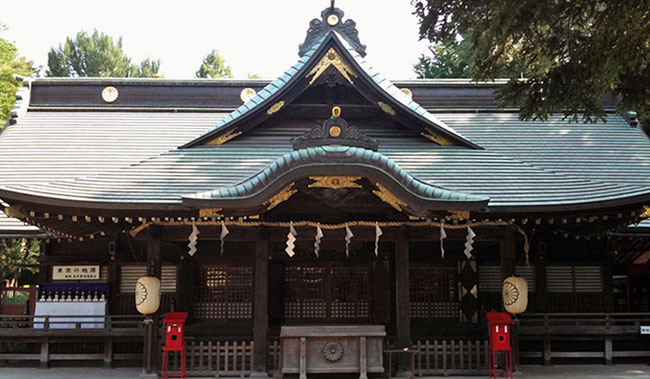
(500,325)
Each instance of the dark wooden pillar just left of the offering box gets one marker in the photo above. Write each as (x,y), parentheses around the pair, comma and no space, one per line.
(260,306)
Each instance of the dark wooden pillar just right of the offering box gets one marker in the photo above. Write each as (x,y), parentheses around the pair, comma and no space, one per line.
(402,302)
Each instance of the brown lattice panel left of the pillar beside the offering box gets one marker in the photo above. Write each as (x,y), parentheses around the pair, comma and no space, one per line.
(224,293)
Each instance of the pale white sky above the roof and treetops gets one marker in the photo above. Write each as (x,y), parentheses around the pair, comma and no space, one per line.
(254,36)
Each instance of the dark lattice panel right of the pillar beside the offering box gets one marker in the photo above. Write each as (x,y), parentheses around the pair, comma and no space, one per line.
(434,291)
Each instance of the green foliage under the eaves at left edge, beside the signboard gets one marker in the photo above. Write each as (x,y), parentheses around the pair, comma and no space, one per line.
(18,256)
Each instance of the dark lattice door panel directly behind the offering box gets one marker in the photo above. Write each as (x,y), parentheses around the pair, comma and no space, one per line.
(328,292)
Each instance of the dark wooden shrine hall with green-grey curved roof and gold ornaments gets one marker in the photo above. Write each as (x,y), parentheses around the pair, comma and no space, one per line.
(329,197)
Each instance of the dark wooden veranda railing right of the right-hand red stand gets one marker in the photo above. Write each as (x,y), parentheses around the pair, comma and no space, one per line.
(585,335)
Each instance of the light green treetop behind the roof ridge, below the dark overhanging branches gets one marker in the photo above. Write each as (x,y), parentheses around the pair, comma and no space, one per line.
(449,59)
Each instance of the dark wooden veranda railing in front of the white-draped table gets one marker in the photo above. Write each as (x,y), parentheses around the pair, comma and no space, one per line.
(50,338)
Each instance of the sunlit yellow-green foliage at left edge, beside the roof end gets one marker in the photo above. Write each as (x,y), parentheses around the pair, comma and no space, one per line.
(10,64)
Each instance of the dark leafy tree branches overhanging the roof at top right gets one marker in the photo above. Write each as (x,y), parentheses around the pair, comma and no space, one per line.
(570,52)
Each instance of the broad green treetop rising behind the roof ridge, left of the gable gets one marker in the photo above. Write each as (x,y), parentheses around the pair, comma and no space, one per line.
(96,55)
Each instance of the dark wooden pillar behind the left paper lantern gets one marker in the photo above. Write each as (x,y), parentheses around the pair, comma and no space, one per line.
(151,353)
